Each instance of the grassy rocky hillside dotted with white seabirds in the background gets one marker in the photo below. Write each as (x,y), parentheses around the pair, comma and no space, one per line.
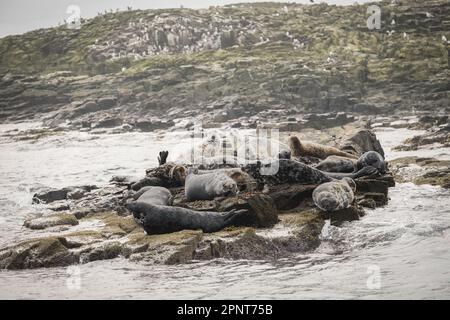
(242,63)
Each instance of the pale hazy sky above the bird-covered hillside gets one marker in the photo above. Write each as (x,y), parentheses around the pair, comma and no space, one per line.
(19,16)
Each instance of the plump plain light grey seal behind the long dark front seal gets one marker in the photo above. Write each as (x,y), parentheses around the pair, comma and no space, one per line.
(209,185)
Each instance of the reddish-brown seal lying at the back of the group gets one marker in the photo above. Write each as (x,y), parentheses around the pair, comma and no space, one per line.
(299,149)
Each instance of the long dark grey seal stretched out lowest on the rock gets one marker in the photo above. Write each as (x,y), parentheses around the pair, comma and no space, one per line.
(165,219)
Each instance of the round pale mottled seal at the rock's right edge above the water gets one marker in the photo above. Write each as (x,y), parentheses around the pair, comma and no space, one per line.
(335,195)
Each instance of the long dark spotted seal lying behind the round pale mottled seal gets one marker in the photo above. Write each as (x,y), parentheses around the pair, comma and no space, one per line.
(291,171)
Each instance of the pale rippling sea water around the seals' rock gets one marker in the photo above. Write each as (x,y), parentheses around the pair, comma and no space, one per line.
(399,251)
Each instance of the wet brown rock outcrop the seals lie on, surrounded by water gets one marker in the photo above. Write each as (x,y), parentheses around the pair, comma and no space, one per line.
(90,223)
